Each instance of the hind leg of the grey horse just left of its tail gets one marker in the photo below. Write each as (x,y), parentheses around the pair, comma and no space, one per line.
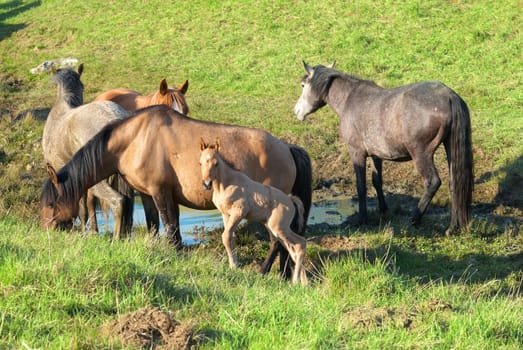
(431,183)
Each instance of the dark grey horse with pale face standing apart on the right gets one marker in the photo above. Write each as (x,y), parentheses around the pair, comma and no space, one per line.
(400,124)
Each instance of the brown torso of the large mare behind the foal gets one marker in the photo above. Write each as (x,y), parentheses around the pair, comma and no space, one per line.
(162,146)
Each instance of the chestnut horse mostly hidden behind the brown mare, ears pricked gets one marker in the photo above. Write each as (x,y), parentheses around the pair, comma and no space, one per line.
(132,100)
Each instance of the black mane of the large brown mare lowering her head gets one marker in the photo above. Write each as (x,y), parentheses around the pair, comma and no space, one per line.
(82,168)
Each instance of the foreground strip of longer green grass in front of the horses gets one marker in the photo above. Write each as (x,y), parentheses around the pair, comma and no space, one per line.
(51,298)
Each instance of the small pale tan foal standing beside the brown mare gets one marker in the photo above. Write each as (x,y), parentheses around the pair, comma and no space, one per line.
(238,197)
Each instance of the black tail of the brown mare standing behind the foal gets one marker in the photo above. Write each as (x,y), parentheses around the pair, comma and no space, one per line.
(302,187)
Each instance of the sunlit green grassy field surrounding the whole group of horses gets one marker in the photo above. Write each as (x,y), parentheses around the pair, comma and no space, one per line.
(385,286)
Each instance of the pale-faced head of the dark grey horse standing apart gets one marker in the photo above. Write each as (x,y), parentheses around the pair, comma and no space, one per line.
(313,92)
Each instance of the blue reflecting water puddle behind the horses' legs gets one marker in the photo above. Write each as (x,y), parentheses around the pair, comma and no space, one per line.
(193,222)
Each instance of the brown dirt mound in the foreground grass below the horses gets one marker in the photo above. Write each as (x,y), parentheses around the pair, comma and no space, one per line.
(151,328)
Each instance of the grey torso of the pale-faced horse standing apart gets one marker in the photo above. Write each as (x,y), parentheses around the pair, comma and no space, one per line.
(393,123)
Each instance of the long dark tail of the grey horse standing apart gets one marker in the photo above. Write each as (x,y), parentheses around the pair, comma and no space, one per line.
(461,163)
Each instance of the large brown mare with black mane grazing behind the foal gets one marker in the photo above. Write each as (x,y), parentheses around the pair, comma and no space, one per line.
(156,152)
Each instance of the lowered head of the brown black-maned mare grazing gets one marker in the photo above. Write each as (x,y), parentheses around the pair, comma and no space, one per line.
(54,211)
